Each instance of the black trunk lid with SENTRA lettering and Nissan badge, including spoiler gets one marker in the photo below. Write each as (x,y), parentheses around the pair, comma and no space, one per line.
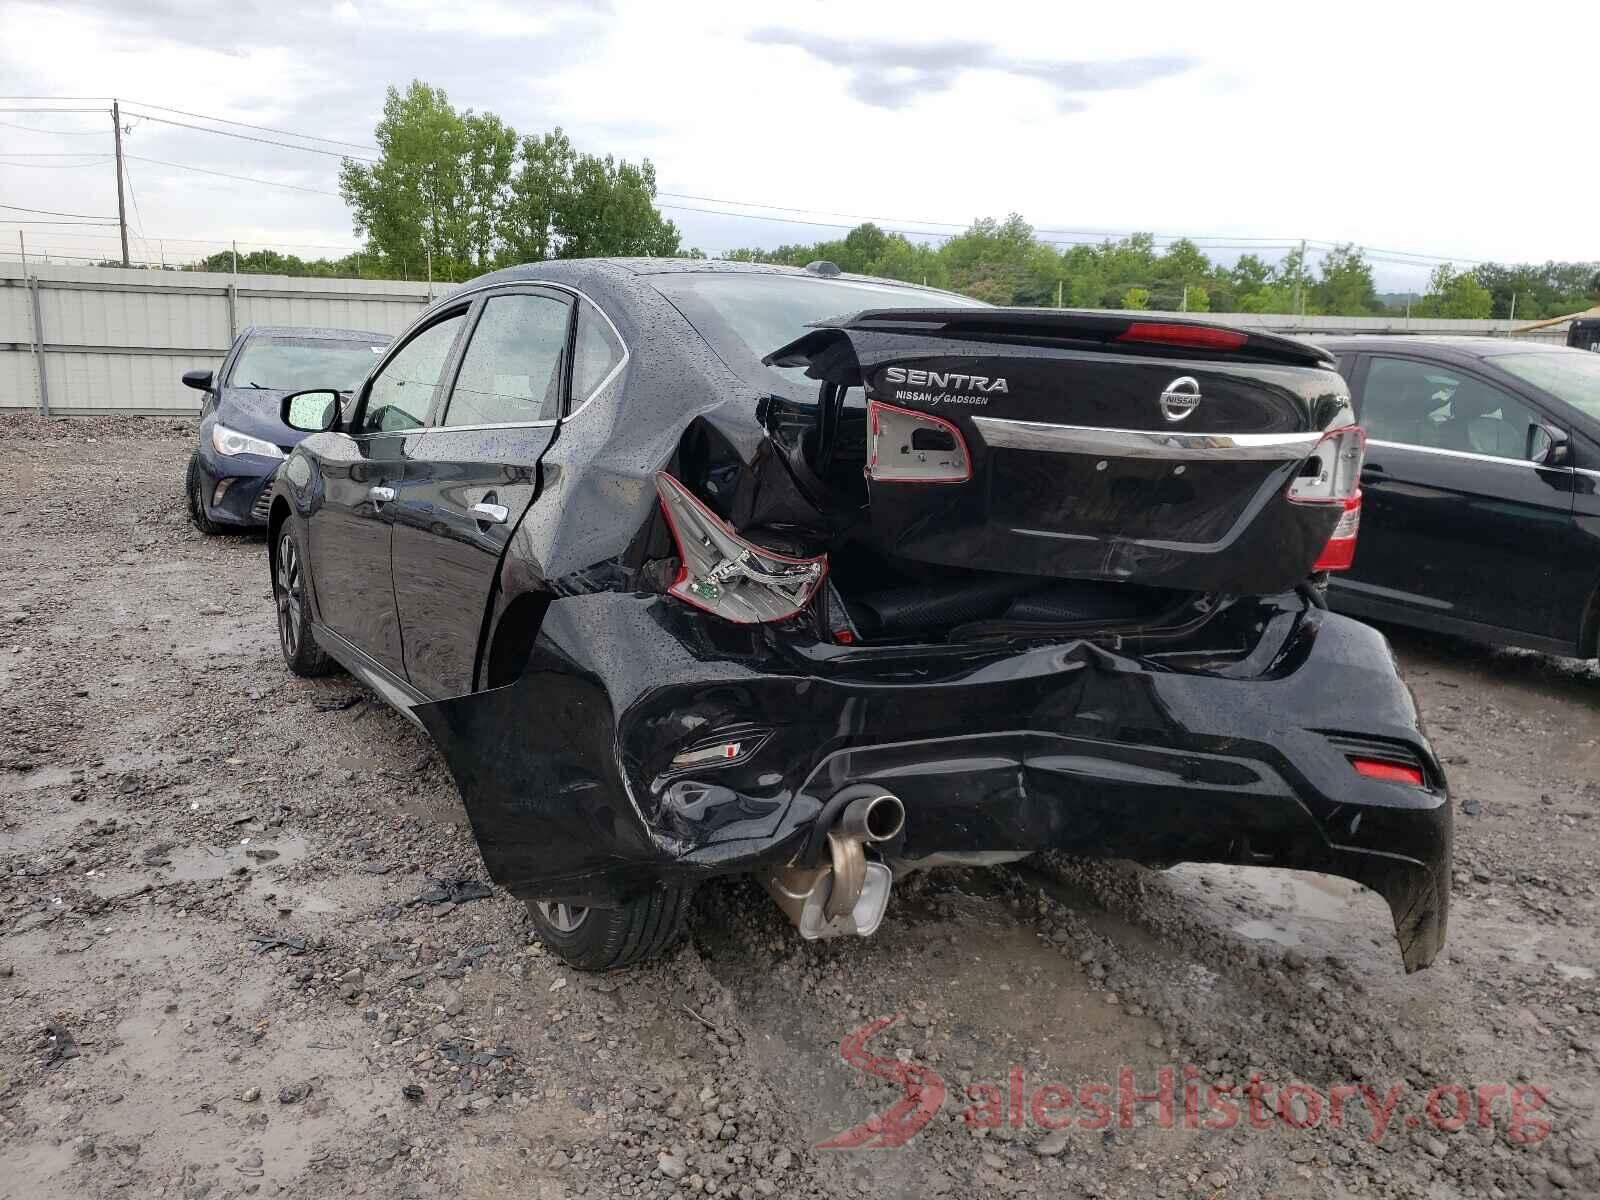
(1078,446)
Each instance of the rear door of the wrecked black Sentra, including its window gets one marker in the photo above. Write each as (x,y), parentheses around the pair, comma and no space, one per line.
(473,476)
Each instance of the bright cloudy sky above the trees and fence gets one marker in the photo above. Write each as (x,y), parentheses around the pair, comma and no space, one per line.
(1415,130)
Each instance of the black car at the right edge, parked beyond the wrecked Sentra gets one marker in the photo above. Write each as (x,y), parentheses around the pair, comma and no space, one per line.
(1481,506)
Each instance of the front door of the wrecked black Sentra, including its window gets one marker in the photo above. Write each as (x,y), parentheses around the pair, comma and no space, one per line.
(362,476)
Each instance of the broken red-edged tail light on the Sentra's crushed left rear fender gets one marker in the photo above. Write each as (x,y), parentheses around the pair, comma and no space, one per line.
(727,575)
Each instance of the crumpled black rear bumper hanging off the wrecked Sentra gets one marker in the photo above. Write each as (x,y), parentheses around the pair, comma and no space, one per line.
(570,783)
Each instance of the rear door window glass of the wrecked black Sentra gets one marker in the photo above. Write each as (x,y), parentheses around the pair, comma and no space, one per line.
(513,369)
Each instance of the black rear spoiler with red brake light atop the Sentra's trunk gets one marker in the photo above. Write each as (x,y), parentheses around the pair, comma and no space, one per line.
(1066,329)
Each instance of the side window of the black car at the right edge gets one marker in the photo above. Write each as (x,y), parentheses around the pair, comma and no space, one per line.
(1438,407)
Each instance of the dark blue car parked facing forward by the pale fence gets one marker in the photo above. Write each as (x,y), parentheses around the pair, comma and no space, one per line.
(242,441)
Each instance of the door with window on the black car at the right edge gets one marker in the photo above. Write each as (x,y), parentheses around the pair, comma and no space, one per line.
(1458,527)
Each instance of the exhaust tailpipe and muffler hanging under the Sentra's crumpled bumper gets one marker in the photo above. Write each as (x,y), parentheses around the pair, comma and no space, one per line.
(849,895)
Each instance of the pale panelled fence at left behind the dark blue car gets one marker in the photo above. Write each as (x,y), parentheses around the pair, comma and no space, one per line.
(118,342)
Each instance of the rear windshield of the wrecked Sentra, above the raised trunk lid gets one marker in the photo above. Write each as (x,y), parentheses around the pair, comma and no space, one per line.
(750,316)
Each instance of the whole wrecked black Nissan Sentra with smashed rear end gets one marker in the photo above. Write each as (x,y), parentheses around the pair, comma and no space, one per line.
(695,569)
